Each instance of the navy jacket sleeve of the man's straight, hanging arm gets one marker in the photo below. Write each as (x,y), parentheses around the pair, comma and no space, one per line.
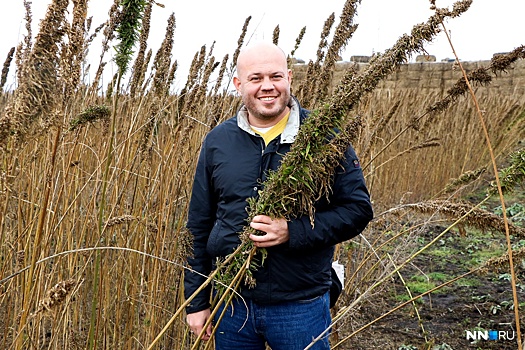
(201,217)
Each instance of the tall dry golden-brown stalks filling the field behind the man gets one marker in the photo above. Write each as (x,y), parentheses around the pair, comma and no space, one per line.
(53,179)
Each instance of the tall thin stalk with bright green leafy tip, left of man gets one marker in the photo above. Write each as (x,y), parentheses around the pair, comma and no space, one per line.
(128,30)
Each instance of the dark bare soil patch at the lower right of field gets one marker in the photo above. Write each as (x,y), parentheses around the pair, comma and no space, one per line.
(478,302)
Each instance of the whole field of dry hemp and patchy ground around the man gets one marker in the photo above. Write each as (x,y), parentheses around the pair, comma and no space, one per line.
(95,181)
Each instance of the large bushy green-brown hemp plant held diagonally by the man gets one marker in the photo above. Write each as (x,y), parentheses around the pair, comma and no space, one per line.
(306,170)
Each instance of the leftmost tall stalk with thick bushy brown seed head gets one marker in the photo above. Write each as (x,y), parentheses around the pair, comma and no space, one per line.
(34,109)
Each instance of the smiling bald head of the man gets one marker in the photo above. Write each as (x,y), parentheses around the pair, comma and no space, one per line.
(263,80)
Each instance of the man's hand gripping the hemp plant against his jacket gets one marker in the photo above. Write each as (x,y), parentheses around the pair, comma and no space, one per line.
(276,231)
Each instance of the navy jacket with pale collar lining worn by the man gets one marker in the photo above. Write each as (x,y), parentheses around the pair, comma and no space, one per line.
(232,166)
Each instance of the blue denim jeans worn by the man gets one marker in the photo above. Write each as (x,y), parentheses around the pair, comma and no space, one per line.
(284,326)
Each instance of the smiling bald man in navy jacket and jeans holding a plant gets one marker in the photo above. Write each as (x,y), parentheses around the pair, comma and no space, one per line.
(289,305)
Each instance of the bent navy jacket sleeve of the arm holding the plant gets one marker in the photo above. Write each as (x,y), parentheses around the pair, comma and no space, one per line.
(348,212)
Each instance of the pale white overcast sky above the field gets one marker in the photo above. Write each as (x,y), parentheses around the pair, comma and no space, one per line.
(487,27)
